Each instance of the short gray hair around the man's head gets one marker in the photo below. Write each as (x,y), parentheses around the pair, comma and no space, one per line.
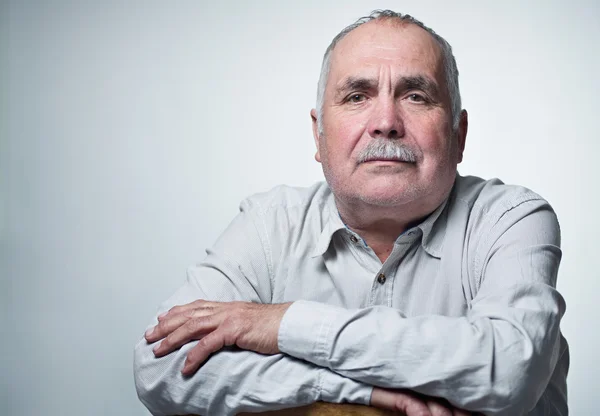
(450,68)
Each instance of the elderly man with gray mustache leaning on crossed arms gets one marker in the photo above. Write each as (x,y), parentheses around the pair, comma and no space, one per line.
(398,283)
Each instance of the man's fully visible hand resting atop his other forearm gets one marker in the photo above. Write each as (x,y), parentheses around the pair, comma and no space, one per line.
(250,326)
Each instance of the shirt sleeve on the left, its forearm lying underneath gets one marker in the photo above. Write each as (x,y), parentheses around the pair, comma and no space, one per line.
(232,380)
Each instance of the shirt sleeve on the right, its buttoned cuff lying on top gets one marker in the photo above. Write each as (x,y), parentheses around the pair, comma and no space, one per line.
(497,359)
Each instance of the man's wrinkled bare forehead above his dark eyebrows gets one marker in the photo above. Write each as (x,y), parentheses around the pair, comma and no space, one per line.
(402,49)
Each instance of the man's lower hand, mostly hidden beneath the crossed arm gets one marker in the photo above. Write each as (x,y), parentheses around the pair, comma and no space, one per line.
(413,404)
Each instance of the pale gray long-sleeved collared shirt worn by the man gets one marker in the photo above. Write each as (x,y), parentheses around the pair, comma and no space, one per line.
(465,308)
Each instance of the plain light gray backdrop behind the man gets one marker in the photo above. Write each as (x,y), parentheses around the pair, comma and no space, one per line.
(130,131)
